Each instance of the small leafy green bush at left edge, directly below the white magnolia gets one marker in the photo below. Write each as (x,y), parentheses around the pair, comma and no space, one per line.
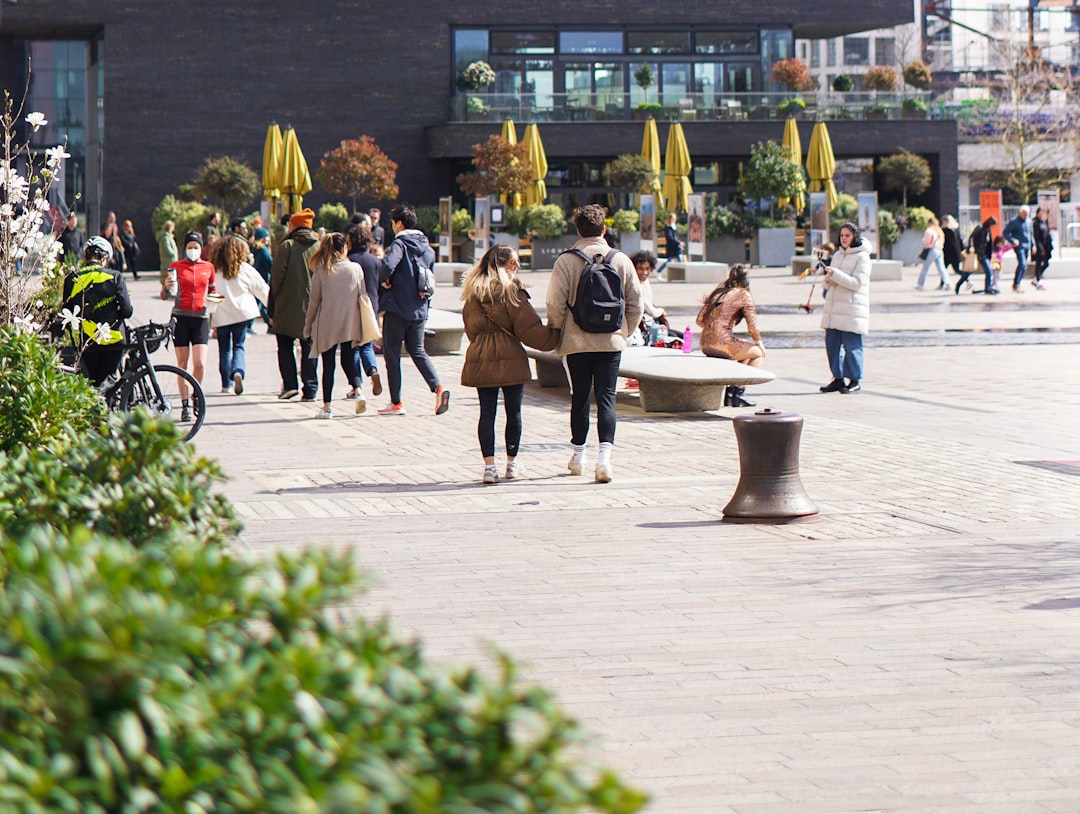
(42,408)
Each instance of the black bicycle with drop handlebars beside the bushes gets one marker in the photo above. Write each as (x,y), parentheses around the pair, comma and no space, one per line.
(140,384)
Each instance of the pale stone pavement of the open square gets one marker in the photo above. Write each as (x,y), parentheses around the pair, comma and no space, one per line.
(915,649)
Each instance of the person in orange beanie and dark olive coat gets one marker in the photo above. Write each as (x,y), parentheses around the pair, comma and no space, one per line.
(288,308)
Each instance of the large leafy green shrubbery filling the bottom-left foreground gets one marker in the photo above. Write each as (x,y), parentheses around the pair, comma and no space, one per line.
(146,669)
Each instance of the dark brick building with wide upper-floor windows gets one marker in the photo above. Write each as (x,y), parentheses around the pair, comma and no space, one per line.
(166,86)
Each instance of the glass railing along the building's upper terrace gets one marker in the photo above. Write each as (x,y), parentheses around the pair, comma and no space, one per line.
(612,106)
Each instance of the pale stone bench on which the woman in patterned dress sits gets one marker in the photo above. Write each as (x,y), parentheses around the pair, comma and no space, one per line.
(668,379)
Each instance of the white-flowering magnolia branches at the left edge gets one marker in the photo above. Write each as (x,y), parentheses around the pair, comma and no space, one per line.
(30,248)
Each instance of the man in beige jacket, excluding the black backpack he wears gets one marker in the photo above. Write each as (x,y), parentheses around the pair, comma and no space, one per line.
(592,360)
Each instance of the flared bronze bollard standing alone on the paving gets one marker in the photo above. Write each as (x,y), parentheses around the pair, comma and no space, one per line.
(769,487)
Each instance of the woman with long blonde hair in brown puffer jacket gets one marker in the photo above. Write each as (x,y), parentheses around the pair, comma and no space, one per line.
(498,319)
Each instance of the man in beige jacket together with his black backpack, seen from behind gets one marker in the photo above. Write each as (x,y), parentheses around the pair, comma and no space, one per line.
(595,299)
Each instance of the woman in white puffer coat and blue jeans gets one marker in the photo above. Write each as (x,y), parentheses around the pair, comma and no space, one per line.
(847,316)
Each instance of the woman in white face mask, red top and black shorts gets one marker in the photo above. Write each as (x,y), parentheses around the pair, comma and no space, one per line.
(190,281)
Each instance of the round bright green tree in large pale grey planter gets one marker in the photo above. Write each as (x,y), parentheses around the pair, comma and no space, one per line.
(769,177)
